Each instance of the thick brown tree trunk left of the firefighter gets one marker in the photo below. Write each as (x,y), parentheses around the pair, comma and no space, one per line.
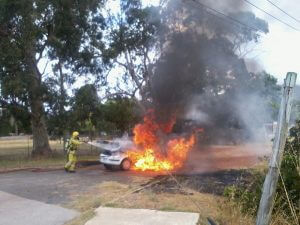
(41,145)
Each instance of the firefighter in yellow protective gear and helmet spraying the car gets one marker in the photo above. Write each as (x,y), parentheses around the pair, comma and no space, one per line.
(71,152)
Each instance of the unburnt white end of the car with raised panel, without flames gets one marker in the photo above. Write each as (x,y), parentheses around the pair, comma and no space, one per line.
(113,153)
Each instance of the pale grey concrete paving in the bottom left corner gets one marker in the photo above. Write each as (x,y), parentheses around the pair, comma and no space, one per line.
(15,210)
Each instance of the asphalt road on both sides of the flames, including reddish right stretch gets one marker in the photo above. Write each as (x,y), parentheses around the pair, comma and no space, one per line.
(58,187)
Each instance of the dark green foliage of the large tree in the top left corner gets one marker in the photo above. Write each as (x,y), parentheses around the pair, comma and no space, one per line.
(53,30)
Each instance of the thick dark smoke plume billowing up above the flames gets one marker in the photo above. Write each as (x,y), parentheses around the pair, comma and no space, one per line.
(199,68)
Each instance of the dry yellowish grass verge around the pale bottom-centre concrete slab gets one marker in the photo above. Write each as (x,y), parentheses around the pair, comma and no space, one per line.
(114,194)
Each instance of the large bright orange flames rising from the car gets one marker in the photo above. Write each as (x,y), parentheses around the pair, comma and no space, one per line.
(155,152)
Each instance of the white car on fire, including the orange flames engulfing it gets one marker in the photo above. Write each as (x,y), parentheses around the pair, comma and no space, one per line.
(152,148)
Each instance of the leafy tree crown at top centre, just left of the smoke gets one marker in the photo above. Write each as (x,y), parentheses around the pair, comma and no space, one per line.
(136,30)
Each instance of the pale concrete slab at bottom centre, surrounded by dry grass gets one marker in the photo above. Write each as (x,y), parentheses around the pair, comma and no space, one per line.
(115,216)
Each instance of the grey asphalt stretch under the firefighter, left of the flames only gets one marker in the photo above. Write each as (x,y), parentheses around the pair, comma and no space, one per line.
(57,187)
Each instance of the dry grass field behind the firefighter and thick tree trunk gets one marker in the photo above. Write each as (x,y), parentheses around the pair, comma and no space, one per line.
(15,154)
